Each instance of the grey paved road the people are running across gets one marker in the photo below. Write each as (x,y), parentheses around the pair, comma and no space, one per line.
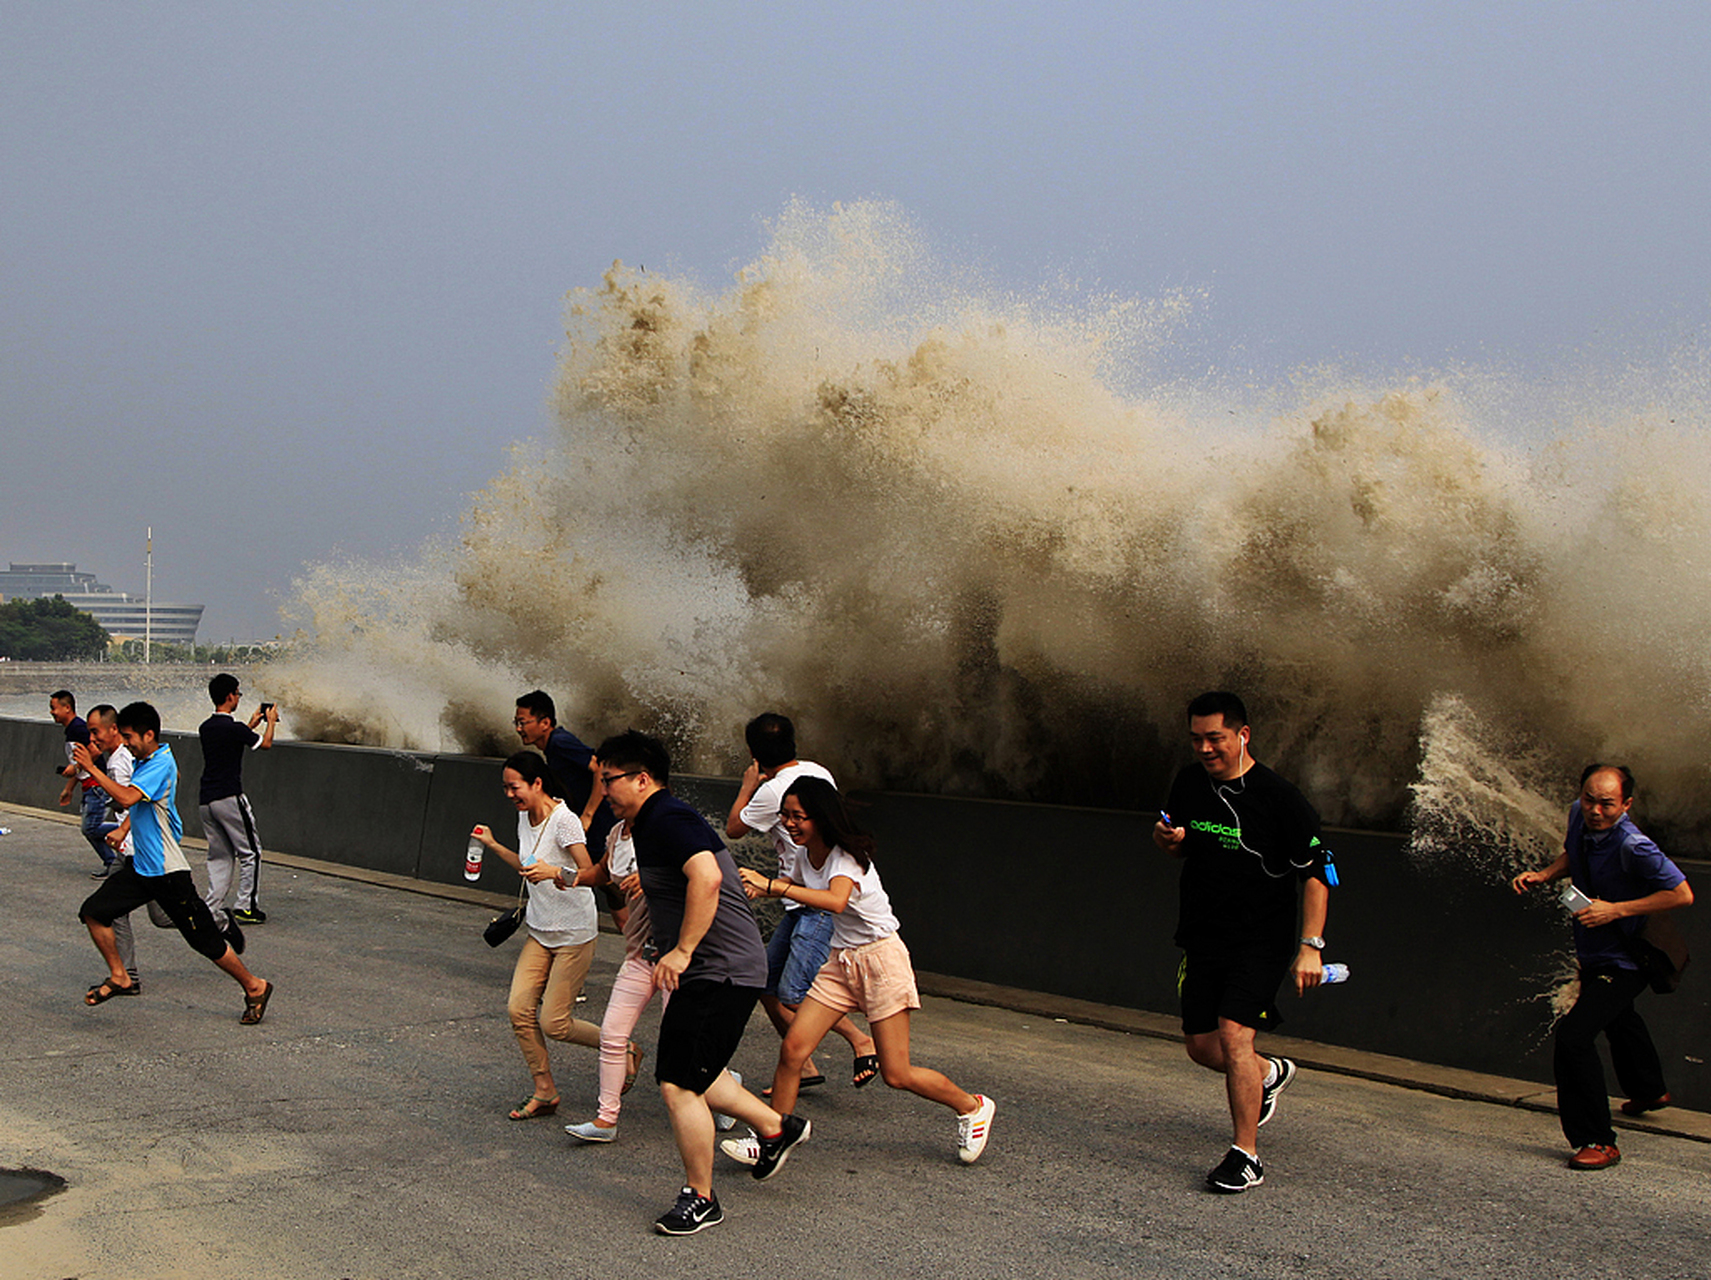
(360,1132)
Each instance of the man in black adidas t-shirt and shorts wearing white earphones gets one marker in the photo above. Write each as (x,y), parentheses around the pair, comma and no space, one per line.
(1246,839)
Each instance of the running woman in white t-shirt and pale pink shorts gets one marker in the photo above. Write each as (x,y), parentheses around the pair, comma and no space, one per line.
(868,969)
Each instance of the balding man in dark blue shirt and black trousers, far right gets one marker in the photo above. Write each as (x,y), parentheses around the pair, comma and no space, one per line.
(1625,879)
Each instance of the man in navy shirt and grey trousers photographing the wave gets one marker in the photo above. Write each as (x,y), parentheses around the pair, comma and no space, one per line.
(227,815)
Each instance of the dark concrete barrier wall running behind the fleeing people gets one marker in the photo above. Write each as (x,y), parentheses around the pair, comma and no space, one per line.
(1448,968)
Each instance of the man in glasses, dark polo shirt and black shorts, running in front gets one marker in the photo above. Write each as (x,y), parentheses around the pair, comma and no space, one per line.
(711,963)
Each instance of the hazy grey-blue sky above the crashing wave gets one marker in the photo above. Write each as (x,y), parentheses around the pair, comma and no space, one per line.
(285,280)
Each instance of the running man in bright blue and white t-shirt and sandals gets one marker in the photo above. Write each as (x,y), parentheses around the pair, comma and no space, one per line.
(157,870)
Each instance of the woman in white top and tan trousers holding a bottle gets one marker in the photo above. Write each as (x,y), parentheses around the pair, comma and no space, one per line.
(552,853)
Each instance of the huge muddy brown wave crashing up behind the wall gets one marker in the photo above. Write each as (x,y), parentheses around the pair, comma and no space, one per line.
(921,519)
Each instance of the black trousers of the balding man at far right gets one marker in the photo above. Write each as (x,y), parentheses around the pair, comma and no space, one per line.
(1606,1005)
